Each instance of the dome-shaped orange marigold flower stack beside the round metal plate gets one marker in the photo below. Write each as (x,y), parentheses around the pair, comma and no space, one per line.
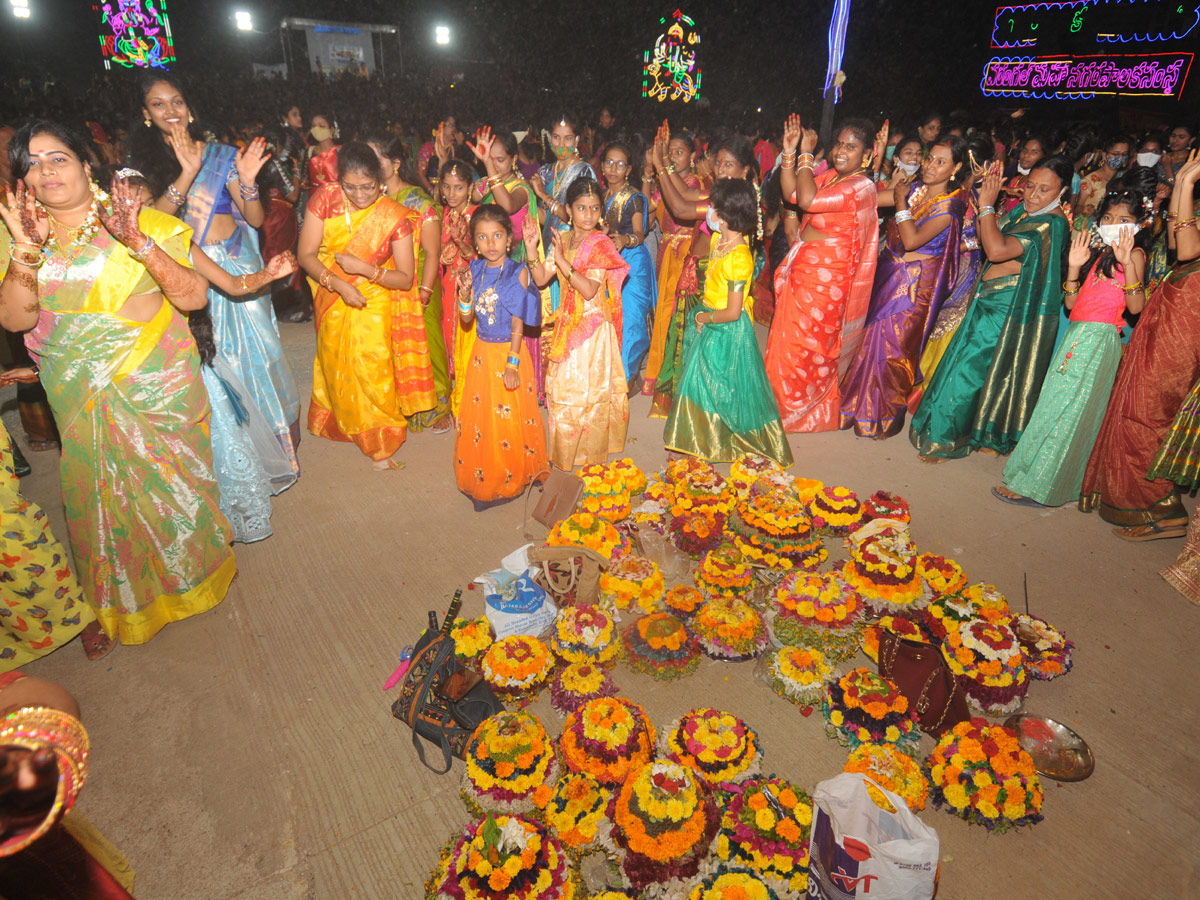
(981,775)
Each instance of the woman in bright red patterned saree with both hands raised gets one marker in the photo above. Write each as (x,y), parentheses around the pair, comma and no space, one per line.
(824,289)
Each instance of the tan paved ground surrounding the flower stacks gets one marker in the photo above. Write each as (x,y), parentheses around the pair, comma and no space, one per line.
(251,754)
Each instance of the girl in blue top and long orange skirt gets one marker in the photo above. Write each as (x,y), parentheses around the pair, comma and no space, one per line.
(501,446)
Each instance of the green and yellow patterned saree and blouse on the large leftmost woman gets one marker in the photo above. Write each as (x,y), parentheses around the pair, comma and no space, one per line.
(148,537)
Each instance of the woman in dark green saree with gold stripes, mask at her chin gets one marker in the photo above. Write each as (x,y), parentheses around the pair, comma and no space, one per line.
(987,387)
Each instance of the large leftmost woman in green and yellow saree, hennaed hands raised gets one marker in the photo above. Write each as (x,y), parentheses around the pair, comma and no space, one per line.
(103,286)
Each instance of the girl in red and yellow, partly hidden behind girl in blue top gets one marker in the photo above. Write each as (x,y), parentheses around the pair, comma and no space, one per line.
(457,255)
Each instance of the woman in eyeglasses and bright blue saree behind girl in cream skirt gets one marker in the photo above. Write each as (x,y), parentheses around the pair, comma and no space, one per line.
(625,223)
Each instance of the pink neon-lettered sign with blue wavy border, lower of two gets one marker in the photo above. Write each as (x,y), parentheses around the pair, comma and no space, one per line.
(1160,75)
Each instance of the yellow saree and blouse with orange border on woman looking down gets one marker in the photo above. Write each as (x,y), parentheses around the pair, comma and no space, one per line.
(373,368)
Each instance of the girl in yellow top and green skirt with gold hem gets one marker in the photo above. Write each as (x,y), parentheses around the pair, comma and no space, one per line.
(724,406)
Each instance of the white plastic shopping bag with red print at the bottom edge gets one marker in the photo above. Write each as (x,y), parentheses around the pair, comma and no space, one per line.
(862,851)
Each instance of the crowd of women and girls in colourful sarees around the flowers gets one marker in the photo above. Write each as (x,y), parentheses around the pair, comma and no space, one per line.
(993,287)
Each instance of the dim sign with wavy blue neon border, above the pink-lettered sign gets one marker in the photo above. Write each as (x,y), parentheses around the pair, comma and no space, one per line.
(1079,25)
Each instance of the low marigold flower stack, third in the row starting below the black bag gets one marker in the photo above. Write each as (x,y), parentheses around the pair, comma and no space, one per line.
(716,745)
